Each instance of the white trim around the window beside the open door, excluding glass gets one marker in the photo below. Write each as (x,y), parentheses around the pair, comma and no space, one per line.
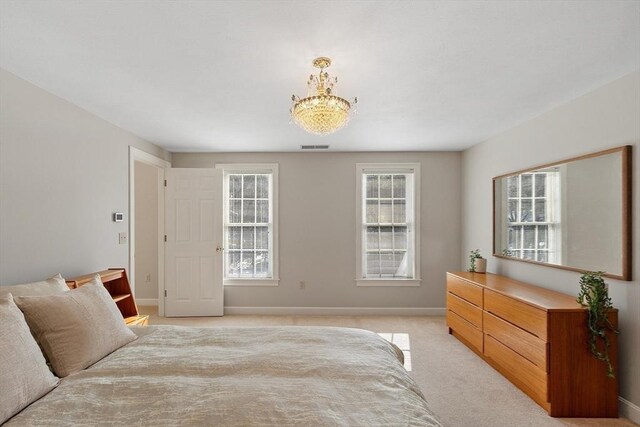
(273,169)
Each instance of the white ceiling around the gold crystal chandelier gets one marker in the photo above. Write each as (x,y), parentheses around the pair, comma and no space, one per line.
(219,75)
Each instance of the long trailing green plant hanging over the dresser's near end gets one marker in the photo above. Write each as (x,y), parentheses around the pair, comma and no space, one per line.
(595,297)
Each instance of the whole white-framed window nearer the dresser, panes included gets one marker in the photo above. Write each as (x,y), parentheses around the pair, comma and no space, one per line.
(388,217)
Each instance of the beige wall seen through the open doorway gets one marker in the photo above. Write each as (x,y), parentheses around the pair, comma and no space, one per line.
(146,229)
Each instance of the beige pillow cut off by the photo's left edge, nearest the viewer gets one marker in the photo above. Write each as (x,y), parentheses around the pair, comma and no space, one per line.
(24,375)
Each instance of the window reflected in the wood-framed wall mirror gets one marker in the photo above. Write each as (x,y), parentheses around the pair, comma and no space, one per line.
(534,216)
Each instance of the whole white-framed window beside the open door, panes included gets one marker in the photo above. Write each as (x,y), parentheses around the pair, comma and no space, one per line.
(250,224)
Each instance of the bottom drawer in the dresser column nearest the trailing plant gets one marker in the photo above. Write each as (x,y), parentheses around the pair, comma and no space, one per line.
(519,370)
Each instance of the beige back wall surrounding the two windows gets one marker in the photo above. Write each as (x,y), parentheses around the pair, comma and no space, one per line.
(318,229)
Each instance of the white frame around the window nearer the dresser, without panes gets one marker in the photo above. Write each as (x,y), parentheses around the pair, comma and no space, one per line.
(361,169)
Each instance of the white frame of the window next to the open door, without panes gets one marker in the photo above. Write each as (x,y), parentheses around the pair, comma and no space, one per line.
(270,168)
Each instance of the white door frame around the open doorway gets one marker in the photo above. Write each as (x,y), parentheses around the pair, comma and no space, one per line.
(137,155)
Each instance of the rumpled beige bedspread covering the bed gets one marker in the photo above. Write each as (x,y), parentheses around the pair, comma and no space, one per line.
(275,376)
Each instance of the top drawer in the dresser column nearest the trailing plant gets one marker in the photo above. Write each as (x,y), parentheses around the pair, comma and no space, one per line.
(527,317)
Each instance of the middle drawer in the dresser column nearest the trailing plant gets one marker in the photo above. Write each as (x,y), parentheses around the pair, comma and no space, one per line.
(527,345)
